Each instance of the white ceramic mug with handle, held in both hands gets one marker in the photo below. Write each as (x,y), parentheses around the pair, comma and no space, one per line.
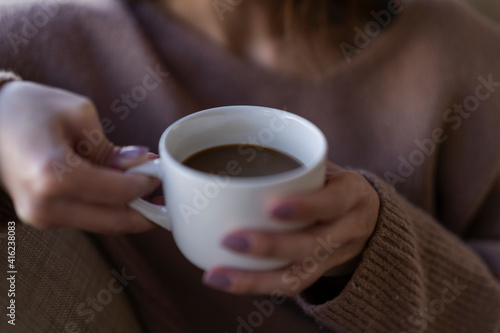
(203,208)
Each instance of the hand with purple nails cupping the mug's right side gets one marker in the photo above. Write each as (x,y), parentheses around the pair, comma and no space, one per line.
(346,210)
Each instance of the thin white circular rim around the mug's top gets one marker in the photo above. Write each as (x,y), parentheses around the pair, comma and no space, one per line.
(168,159)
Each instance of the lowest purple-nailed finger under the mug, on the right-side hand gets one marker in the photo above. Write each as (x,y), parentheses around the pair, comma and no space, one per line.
(289,281)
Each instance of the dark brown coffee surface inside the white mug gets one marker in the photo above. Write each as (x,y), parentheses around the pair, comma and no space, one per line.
(242,160)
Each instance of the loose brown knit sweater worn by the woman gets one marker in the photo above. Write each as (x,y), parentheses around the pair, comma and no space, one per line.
(422,121)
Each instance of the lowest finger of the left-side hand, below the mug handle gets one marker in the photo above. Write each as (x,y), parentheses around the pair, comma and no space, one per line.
(117,219)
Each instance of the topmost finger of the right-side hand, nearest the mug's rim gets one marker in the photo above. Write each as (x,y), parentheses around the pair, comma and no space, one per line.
(339,196)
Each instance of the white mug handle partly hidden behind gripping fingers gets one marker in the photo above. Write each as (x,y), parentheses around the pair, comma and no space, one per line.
(155,213)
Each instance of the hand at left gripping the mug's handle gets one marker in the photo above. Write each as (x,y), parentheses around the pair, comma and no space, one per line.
(58,166)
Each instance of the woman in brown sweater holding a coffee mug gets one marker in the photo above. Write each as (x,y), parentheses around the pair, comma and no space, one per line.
(406,93)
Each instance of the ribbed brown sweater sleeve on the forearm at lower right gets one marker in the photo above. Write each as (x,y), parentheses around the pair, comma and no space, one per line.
(415,276)
